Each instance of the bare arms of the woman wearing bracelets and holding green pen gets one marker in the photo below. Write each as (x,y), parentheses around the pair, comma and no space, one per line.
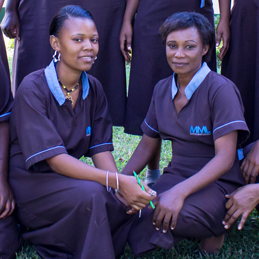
(71,167)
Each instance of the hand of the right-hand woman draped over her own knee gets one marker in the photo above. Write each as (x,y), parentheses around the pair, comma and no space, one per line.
(168,206)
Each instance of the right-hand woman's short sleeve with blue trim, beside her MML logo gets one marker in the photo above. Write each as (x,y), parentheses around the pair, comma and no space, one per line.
(228,113)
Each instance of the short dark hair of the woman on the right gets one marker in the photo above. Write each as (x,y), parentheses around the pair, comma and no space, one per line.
(185,20)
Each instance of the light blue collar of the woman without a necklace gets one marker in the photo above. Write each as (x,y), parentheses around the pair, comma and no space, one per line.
(194,83)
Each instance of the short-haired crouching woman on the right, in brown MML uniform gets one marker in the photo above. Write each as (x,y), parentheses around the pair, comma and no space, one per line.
(201,113)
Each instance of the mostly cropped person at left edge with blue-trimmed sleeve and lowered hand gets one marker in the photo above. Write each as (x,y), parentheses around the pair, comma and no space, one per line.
(10,240)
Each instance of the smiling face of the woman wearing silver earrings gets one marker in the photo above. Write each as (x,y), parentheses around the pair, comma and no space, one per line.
(78,43)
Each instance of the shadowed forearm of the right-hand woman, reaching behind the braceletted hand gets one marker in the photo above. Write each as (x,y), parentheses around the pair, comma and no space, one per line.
(142,155)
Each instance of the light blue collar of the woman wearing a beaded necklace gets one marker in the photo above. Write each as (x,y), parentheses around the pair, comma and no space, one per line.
(54,86)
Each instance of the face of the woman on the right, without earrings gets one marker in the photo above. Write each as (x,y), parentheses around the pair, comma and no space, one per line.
(184,51)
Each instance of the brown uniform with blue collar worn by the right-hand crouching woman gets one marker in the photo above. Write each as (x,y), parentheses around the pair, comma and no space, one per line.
(214,109)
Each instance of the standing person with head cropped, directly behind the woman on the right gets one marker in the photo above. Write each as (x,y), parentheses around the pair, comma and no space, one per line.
(148,64)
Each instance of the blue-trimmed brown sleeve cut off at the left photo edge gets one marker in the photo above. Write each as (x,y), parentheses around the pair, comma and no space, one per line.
(6,98)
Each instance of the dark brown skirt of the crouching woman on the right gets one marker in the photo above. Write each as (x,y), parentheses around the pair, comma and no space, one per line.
(200,217)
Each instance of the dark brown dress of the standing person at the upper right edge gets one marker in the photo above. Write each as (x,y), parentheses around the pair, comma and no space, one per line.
(241,63)
